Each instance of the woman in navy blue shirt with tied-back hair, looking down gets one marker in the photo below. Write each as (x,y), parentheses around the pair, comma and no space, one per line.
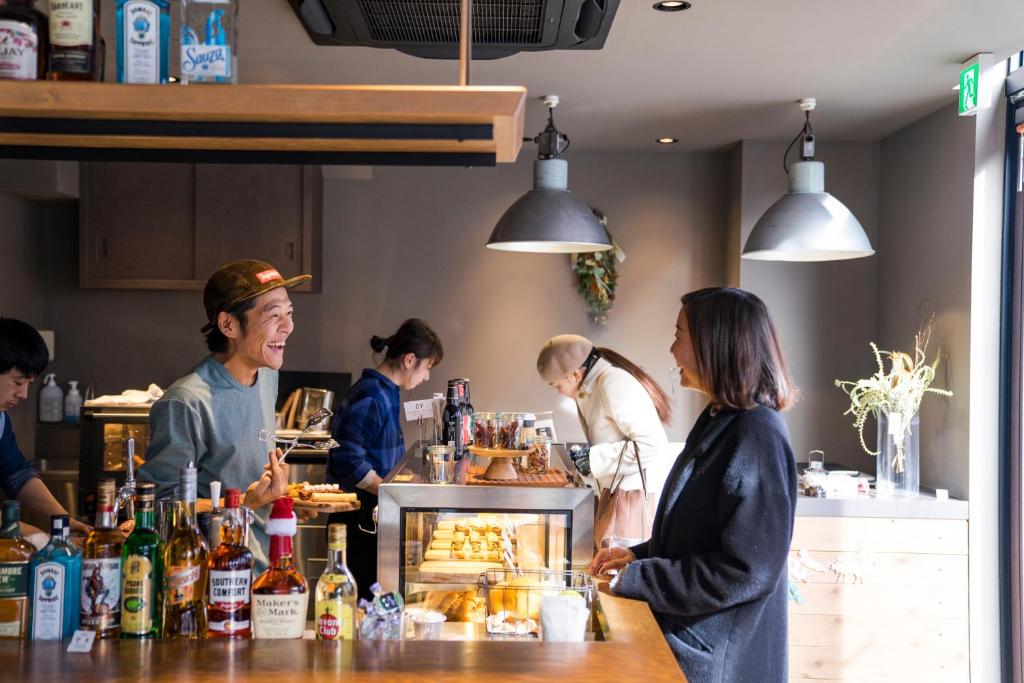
(369,434)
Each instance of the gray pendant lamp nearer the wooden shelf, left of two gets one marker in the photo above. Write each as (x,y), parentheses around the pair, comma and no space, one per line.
(549,220)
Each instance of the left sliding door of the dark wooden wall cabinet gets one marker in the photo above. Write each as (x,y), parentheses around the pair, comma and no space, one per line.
(136,226)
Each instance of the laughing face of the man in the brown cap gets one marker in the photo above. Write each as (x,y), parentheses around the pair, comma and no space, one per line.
(269,325)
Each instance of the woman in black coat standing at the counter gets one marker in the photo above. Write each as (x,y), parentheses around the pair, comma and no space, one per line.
(714,572)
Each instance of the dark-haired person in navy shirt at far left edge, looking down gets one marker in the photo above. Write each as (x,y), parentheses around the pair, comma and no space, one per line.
(23,358)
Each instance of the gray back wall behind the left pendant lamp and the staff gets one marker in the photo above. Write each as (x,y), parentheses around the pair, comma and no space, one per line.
(409,242)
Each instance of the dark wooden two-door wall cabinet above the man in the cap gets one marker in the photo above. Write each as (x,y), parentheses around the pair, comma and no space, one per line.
(169,227)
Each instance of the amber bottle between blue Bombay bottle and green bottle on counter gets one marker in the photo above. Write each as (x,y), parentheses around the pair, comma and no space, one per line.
(102,569)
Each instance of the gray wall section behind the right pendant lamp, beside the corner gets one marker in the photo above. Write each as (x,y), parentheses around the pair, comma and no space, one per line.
(825,313)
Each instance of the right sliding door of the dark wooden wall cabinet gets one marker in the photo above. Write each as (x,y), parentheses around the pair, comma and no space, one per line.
(262,212)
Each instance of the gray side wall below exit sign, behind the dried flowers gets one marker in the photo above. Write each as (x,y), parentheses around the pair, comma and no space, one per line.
(926,215)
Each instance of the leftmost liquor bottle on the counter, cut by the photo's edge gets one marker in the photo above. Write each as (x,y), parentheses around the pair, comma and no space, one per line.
(15,556)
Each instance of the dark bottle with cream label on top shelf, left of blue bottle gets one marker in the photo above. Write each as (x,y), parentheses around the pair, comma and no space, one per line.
(74,40)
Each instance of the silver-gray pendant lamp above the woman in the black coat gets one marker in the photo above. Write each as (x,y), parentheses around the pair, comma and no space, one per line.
(808,224)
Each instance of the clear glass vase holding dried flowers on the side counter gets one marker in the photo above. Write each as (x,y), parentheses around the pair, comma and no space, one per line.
(899,473)
